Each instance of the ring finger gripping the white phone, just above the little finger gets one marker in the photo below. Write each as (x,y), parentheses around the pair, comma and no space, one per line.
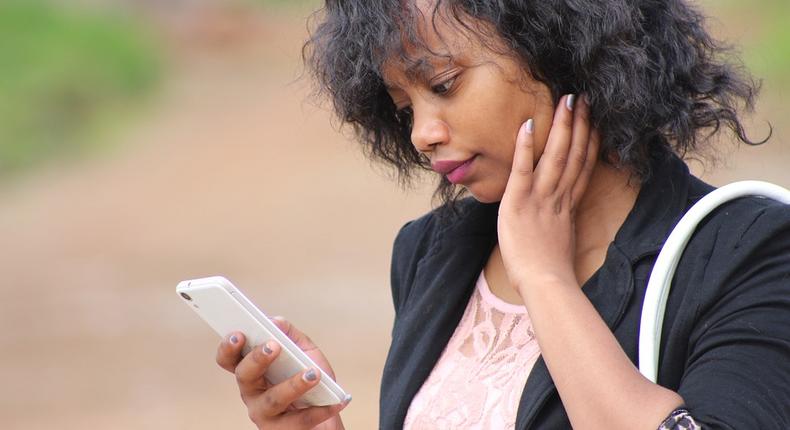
(279,397)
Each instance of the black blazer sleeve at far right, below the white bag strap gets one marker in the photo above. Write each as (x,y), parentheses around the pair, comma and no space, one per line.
(738,370)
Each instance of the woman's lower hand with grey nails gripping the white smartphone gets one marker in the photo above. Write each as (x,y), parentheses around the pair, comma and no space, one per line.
(270,407)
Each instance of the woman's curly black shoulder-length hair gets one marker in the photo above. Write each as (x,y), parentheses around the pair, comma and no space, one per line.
(656,80)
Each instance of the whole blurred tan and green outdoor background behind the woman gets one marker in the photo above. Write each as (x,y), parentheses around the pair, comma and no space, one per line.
(143,142)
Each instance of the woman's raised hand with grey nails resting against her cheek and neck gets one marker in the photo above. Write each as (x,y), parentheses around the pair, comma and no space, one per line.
(536,215)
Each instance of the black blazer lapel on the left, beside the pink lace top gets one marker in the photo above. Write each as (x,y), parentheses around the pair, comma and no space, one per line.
(442,286)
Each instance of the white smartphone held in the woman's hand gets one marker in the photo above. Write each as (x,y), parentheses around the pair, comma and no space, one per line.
(226,309)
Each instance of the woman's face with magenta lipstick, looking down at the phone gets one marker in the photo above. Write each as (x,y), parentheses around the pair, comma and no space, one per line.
(468,109)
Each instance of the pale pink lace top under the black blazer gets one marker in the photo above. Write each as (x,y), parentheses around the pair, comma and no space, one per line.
(478,380)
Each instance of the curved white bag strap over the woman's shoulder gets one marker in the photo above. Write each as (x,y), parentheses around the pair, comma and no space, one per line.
(663,271)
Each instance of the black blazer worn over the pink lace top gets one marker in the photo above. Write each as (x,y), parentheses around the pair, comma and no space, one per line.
(726,336)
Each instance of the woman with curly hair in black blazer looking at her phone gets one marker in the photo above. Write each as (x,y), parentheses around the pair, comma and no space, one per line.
(518,306)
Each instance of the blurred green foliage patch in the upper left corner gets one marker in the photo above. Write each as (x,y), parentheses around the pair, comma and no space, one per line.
(64,74)
